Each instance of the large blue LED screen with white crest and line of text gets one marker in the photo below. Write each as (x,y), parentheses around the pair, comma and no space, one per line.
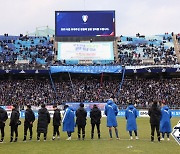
(84,23)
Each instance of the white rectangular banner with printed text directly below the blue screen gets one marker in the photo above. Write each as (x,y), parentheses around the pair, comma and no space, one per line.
(85,51)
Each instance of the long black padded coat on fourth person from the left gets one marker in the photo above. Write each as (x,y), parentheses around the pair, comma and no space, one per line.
(43,120)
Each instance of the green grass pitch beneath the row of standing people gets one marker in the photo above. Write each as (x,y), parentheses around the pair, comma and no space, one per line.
(102,146)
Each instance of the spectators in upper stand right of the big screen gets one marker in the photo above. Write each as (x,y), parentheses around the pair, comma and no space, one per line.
(159,49)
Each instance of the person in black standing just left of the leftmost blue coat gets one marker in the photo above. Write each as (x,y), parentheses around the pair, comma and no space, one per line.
(56,122)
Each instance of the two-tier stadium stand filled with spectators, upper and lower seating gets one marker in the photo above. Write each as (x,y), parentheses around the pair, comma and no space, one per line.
(31,52)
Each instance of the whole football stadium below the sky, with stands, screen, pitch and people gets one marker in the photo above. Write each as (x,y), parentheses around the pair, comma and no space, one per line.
(82,88)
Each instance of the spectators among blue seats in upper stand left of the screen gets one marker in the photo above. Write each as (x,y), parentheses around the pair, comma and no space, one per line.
(24,51)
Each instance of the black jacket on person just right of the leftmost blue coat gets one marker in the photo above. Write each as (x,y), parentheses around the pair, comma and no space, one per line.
(81,115)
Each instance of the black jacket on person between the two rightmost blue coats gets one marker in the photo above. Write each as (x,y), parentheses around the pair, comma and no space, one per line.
(155,114)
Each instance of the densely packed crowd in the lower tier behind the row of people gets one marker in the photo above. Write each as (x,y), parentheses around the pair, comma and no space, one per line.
(90,89)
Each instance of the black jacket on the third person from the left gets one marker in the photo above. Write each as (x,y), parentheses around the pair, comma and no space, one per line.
(29,117)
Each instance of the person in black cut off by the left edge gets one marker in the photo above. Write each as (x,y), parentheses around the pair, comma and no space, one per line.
(3,118)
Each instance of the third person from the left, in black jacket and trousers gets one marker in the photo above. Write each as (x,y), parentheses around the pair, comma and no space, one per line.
(28,122)
